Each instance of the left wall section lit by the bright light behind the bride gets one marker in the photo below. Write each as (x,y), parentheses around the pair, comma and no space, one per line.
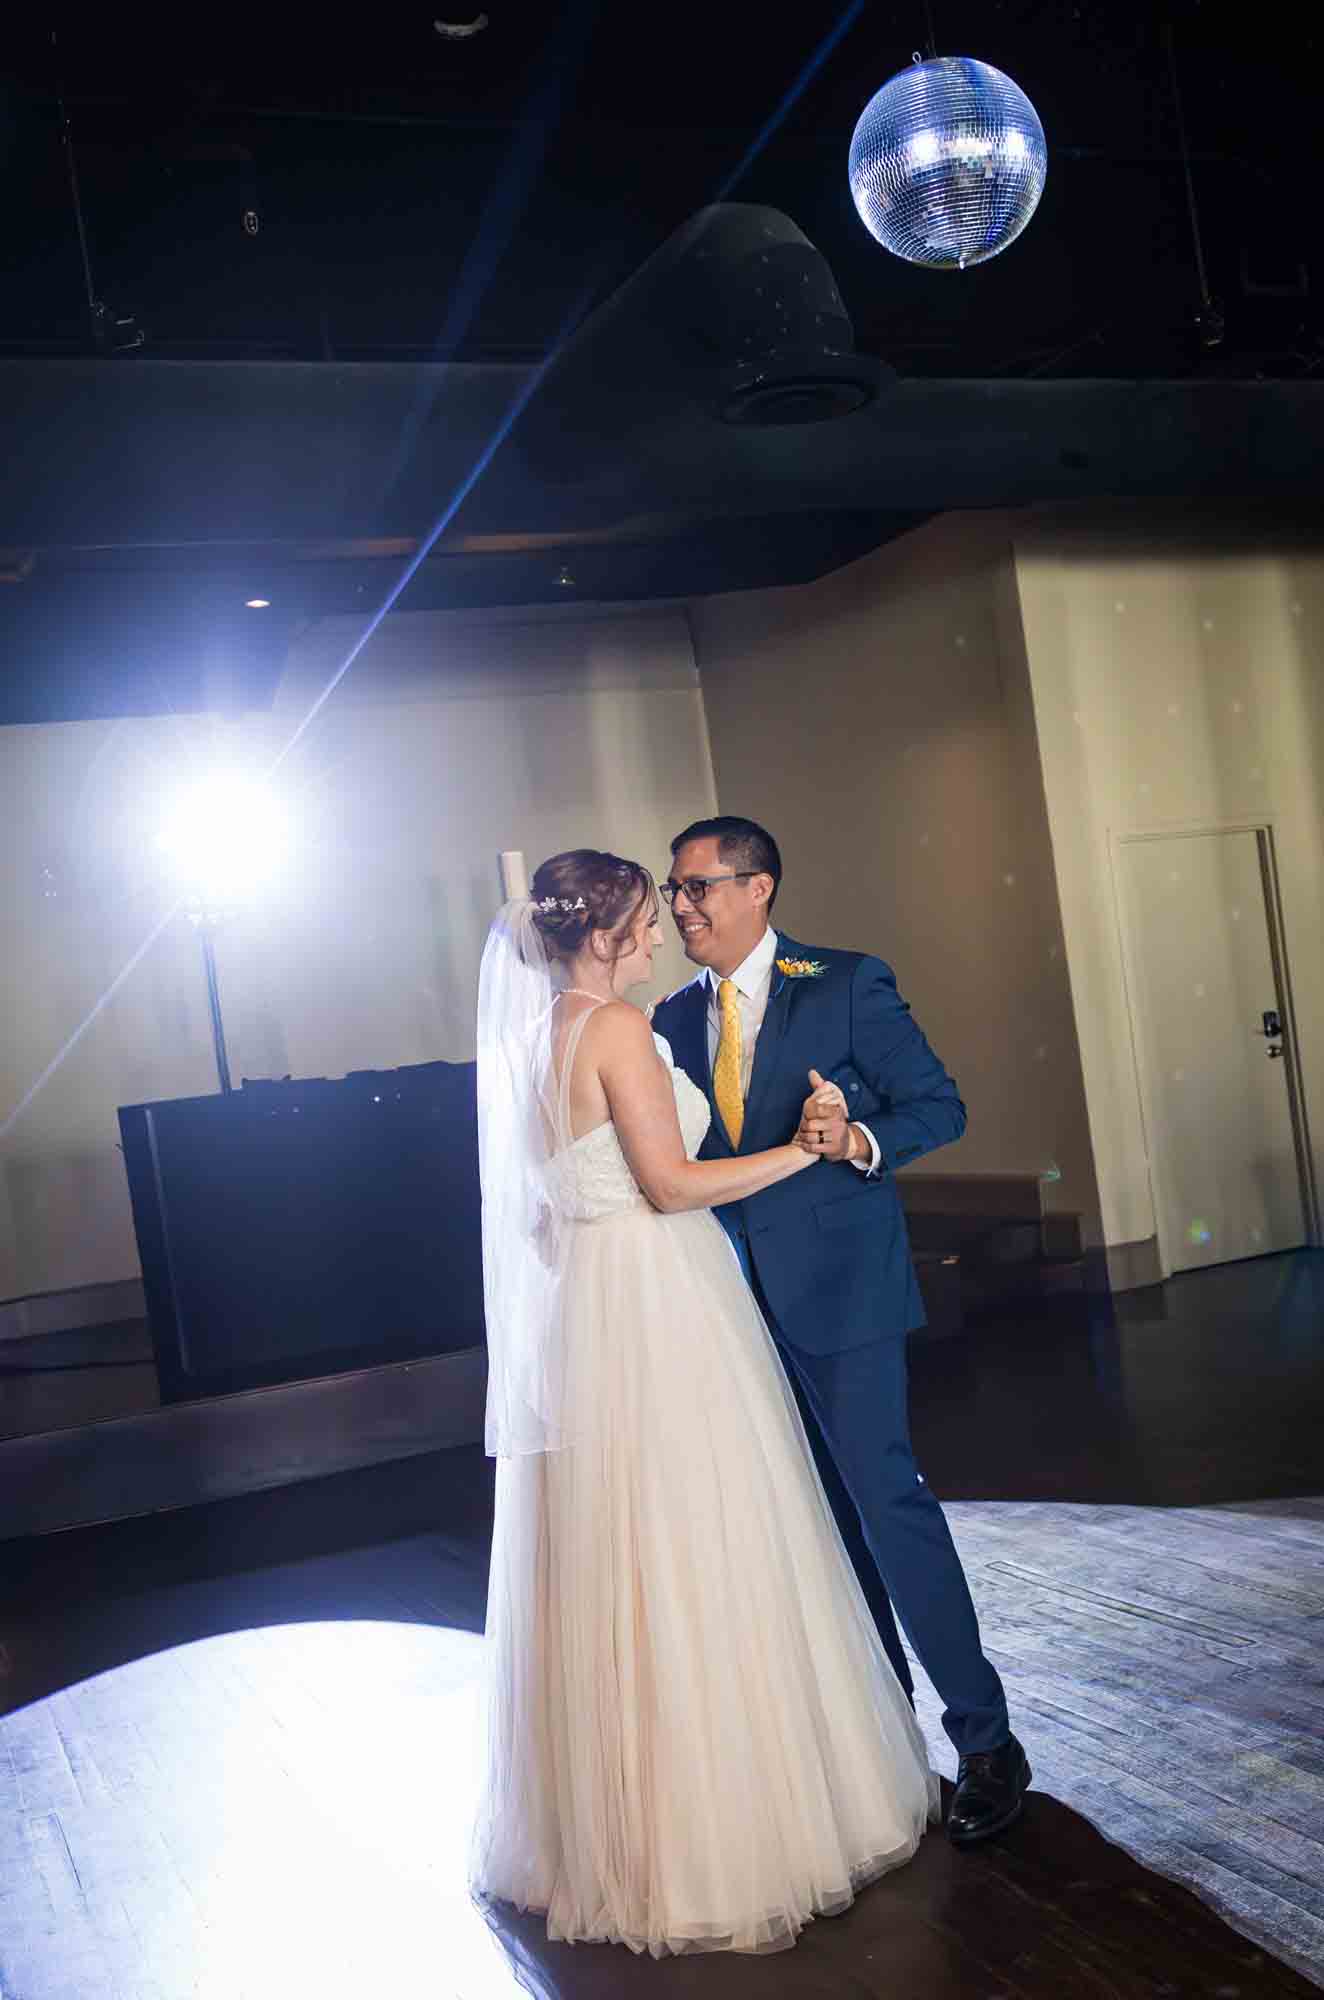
(453,737)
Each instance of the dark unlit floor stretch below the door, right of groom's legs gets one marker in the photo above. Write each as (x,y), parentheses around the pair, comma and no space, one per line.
(1205,1389)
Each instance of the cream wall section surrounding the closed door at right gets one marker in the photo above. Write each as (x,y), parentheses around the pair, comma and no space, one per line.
(1179,681)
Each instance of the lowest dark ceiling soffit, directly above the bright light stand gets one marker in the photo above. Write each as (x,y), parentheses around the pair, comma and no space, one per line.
(87,639)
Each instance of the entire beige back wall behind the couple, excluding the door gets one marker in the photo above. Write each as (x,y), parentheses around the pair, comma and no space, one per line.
(947,737)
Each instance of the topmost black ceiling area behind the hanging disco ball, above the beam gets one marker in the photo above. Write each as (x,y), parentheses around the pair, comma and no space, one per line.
(425,197)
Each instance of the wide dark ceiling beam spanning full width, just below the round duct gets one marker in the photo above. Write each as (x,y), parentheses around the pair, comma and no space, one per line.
(175,453)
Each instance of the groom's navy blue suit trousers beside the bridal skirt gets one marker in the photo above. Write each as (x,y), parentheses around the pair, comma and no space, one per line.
(857,1417)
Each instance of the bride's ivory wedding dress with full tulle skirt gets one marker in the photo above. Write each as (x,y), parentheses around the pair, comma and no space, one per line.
(695,1737)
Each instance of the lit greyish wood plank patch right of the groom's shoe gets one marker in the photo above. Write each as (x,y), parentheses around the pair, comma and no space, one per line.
(1167,1673)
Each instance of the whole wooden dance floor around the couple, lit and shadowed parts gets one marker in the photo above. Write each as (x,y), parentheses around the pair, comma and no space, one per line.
(239,1747)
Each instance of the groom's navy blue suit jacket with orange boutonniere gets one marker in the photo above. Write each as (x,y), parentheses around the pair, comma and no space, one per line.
(829,1245)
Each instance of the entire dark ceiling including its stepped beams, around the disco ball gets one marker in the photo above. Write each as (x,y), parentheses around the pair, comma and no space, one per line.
(329,255)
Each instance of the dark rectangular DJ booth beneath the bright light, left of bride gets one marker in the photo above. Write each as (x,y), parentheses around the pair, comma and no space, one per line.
(305,1229)
